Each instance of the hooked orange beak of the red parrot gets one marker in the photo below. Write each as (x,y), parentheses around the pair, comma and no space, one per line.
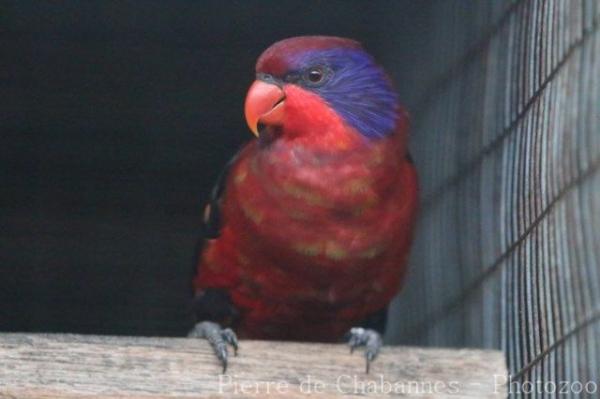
(265,105)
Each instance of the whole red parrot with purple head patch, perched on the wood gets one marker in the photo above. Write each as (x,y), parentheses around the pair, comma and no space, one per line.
(310,226)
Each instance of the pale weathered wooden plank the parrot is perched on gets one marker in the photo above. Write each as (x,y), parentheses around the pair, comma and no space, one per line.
(78,366)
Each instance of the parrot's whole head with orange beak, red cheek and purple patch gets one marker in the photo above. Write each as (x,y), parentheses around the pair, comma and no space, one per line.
(321,91)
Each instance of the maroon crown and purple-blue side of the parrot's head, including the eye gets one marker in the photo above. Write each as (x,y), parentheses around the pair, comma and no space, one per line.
(343,74)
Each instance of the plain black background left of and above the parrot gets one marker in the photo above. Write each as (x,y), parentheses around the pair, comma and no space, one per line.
(115,119)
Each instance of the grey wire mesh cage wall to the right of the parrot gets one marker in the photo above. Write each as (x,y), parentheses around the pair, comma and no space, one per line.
(506,135)
